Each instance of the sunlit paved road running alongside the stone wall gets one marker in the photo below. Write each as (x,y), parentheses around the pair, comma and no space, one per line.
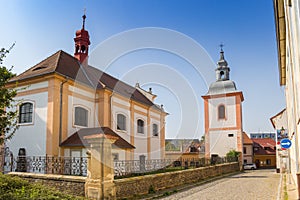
(252,185)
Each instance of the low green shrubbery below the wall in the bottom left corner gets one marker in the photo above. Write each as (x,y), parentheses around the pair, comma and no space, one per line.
(15,188)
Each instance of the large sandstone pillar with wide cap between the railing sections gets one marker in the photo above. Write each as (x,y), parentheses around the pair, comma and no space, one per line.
(100,170)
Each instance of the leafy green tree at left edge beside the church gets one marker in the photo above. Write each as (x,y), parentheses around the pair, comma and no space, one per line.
(8,111)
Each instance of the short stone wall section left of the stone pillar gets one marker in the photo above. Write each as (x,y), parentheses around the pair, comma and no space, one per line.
(73,185)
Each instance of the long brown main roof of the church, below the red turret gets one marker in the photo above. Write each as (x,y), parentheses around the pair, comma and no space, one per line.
(66,65)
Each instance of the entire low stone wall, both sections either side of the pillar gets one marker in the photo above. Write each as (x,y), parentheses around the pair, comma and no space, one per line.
(129,187)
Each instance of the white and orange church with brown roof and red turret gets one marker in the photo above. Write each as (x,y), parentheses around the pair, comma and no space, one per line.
(65,99)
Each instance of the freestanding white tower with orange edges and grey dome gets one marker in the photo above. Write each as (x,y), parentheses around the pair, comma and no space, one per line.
(223,114)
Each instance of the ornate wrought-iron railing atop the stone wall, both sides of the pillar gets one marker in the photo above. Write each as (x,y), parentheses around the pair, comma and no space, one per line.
(78,165)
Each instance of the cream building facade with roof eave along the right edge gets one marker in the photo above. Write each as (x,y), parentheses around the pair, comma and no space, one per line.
(287,21)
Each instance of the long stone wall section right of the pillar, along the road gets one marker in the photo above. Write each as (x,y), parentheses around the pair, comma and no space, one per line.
(129,187)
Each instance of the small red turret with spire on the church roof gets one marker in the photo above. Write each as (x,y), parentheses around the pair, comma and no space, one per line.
(82,42)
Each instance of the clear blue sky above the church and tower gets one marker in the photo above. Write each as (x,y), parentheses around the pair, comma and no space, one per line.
(40,28)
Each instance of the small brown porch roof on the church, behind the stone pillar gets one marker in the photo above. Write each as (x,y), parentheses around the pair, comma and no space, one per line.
(78,139)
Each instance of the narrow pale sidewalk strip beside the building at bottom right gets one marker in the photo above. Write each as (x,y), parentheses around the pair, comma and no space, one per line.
(291,187)
